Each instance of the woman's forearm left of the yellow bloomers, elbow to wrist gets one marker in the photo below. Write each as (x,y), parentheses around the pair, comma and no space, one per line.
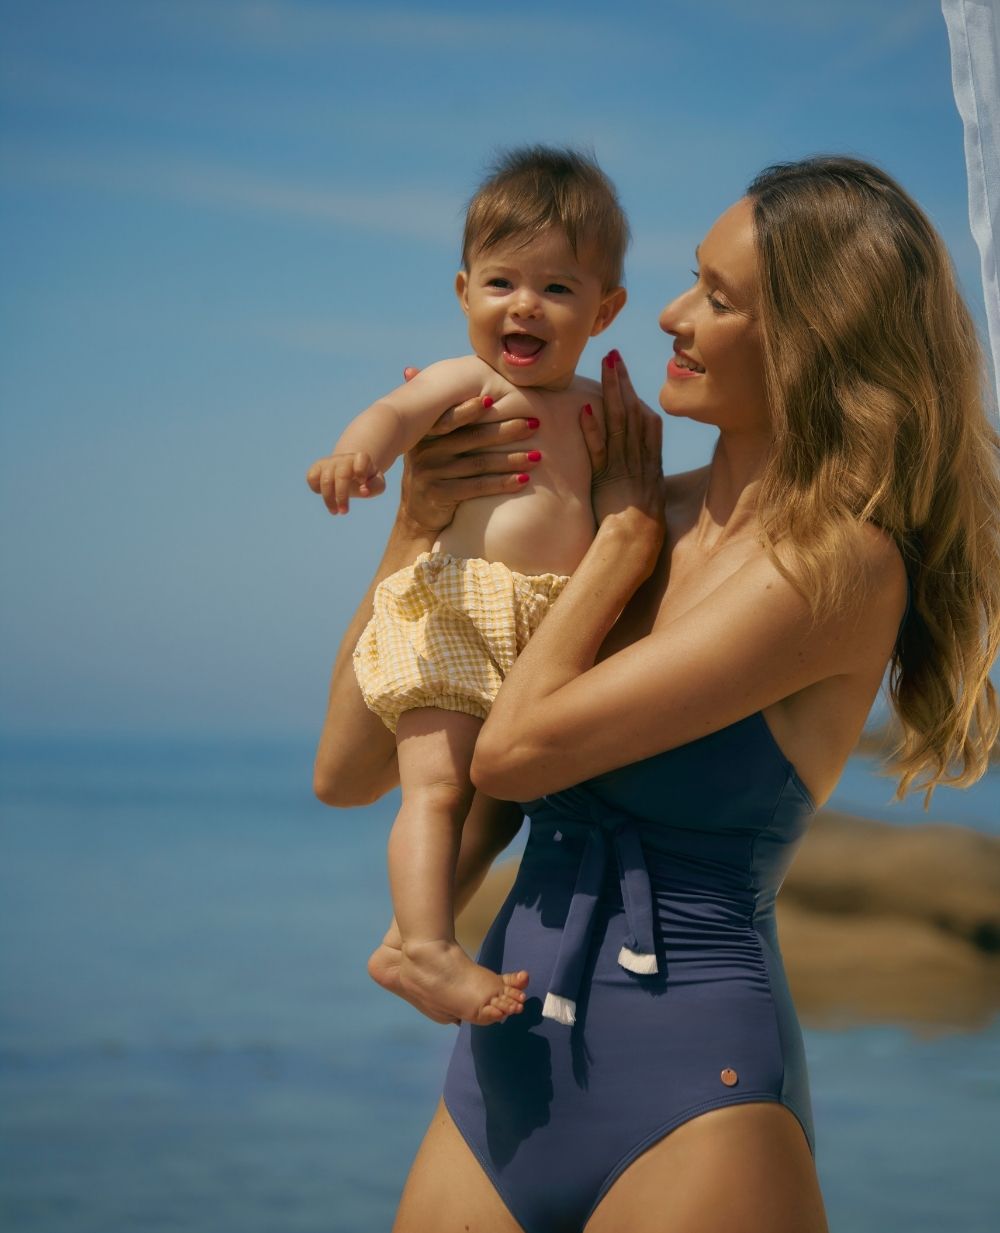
(356,760)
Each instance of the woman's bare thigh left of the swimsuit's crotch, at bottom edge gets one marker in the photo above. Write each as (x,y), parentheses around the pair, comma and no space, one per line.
(447,1190)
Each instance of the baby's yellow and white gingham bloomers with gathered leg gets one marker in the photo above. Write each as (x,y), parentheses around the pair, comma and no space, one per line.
(446,632)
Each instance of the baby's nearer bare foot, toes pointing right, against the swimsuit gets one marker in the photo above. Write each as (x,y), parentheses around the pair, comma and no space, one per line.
(441,975)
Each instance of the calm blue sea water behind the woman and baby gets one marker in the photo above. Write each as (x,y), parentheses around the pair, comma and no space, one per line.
(189,1041)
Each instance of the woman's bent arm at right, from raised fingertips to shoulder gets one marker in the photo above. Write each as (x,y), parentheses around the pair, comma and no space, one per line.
(562,717)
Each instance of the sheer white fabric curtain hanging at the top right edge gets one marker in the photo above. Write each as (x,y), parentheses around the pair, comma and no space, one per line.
(975,39)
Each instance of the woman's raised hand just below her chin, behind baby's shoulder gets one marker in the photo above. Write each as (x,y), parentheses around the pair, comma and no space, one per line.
(626,452)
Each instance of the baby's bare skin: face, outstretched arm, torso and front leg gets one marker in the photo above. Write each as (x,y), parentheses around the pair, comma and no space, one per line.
(532,305)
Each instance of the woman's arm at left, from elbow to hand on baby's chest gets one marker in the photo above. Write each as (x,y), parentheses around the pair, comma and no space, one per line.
(356,761)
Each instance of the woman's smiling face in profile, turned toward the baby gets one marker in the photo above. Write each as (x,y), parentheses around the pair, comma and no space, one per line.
(717,372)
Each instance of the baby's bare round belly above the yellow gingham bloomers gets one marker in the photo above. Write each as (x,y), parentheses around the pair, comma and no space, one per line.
(537,532)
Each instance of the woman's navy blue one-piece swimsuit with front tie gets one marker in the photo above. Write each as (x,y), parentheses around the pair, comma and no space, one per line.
(682,853)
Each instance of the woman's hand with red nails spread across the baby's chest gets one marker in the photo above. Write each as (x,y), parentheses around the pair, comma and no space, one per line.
(459,459)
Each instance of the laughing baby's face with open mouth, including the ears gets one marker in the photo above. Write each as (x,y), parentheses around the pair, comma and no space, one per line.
(532,309)
